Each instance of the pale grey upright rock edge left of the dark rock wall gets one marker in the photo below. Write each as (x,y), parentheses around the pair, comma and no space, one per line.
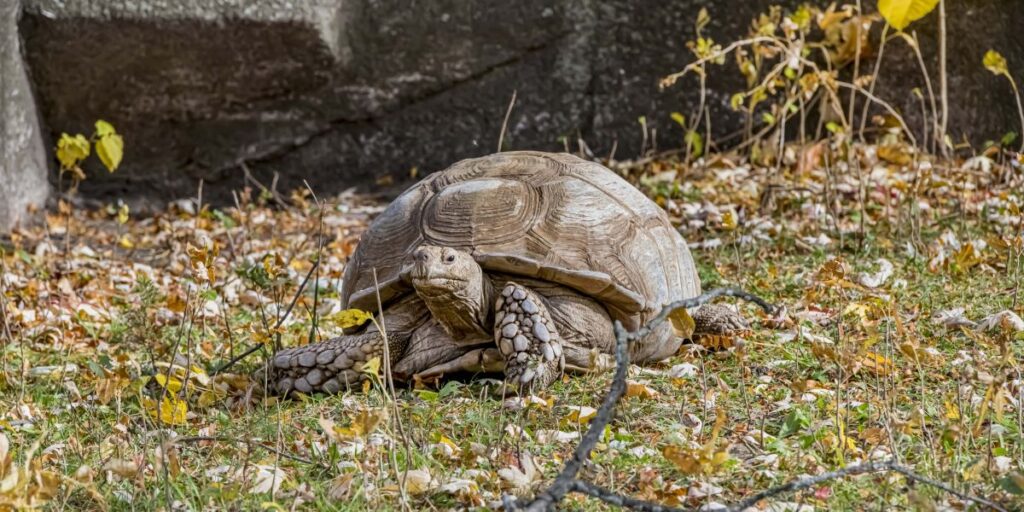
(23,159)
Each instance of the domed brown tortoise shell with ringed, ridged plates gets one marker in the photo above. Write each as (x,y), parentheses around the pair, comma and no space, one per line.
(548,217)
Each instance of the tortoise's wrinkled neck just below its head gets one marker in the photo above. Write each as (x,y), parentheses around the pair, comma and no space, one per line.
(467,313)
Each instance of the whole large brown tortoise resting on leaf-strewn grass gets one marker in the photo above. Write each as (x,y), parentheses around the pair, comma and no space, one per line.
(519,262)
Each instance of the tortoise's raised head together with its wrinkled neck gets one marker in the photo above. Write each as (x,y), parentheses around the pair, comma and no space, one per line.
(454,288)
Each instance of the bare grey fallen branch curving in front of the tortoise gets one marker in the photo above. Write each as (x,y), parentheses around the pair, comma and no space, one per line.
(567,481)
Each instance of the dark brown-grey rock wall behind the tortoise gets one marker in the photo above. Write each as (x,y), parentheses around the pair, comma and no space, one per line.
(355,93)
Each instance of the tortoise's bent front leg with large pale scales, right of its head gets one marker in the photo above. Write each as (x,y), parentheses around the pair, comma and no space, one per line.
(528,338)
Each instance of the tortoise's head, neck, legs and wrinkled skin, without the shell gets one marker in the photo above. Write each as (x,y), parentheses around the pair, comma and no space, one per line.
(463,320)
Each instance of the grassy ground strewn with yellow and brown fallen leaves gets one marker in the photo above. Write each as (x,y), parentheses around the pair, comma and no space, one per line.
(790,404)
